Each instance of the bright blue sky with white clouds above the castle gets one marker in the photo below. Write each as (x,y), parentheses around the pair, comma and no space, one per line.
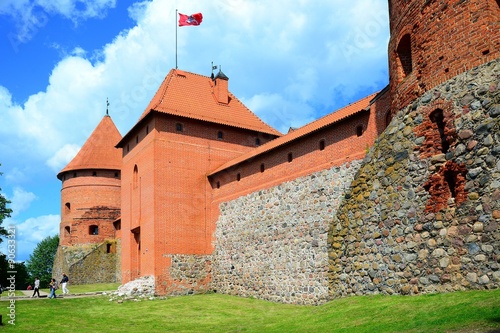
(289,61)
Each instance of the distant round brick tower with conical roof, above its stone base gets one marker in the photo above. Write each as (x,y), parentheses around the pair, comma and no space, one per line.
(90,195)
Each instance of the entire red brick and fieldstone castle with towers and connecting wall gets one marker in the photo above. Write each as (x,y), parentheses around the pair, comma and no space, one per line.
(380,196)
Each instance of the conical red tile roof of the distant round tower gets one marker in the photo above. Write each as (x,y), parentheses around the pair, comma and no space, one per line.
(99,151)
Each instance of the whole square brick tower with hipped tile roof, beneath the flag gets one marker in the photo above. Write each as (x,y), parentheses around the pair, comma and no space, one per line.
(192,125)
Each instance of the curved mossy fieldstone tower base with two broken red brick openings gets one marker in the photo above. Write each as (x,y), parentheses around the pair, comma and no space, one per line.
(423,213)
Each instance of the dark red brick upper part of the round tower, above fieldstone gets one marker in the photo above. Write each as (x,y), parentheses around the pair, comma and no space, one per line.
(433,41)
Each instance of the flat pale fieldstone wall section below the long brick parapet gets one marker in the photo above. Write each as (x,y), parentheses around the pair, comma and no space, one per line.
(272,244)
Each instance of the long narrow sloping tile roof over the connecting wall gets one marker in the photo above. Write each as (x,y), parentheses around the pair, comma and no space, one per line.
(298,133)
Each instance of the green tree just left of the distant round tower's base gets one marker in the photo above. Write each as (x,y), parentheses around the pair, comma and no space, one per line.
(42,259)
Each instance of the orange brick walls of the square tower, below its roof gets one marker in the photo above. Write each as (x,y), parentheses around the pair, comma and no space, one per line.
(166,194)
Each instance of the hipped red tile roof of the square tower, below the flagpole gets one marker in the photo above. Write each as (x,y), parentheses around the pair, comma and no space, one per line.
(190,95)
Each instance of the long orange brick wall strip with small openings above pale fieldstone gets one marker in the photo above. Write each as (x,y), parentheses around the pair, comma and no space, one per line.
(341,144)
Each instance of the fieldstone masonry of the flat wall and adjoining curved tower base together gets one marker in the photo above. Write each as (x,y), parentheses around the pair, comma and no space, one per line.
(420,215)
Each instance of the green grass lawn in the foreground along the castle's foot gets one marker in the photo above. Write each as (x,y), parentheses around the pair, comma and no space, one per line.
(472,311)
